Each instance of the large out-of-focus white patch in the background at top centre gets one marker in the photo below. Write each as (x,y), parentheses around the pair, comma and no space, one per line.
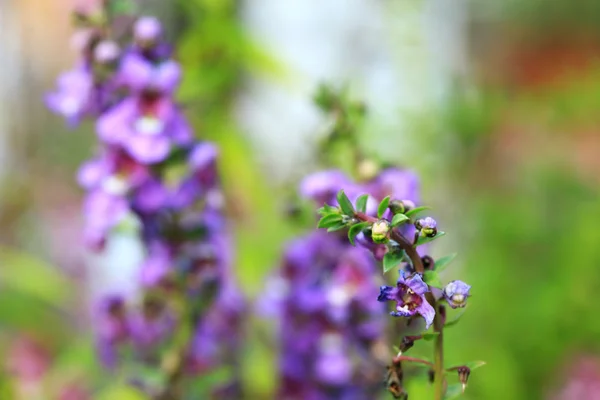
(399,56)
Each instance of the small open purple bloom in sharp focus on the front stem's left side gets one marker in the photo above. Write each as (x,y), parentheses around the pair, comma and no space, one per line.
(409,295)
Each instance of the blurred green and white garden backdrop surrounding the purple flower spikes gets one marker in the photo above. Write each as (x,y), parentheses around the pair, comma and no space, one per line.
(494,103)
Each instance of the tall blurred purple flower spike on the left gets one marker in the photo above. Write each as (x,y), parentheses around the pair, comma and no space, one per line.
(151,169)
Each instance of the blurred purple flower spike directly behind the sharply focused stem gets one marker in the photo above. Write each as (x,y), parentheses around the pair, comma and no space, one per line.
(324,294)
